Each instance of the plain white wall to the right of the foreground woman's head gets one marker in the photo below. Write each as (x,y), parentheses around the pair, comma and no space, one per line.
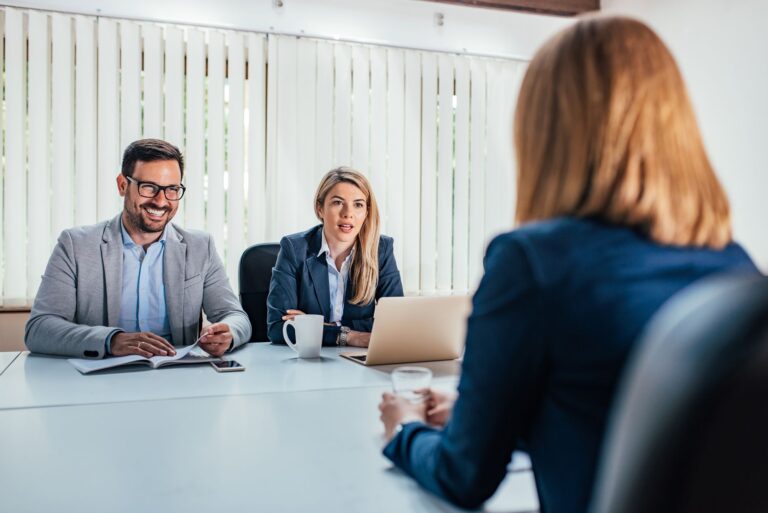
(722,47)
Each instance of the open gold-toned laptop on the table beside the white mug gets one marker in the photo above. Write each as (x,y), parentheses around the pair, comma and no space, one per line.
(416,329)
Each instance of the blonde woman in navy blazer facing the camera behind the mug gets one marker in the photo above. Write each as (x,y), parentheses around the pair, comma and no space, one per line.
(339,268)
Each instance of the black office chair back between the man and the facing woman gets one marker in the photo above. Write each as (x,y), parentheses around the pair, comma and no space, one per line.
(255,273)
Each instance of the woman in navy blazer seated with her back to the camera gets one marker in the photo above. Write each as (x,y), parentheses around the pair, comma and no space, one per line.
(619,209)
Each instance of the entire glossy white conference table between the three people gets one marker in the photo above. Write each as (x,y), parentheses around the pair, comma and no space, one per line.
(285,435)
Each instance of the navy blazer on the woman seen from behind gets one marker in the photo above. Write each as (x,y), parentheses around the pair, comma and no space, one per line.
(554,318)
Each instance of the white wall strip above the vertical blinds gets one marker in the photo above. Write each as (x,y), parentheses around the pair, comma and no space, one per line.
(408,23)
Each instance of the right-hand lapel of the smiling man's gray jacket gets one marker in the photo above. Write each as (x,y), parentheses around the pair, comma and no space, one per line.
(174,268)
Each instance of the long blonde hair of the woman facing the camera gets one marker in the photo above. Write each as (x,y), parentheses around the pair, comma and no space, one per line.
(365,263)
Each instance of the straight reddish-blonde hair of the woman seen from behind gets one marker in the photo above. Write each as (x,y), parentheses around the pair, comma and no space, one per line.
(604,128)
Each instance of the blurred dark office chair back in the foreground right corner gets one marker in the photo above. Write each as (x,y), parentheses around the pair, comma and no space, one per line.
(690,428)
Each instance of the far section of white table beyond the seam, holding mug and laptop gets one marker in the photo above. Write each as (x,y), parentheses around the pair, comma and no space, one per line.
(35,381)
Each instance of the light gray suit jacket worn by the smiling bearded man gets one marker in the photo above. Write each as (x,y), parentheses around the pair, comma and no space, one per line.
(78,303)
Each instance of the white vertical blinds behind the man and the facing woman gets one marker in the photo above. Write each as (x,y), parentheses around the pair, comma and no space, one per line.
(259,119)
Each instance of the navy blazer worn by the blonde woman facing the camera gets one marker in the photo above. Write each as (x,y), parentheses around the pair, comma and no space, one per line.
(300,281)
